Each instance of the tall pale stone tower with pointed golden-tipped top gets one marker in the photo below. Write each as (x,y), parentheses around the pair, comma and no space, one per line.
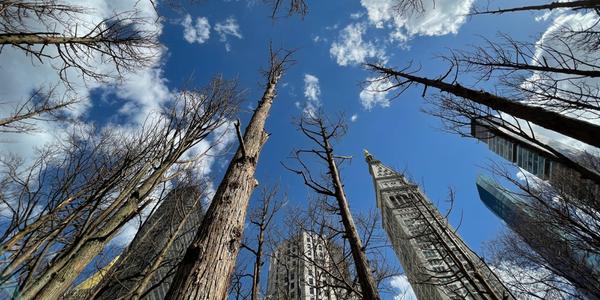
(438,264)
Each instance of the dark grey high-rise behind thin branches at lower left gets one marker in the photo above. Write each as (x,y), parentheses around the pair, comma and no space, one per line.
(179,216)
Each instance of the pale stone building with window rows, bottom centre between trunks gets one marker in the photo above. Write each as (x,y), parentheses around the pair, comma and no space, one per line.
(299,267)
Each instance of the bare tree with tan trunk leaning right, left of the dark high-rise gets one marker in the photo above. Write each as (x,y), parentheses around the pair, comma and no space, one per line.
(199,117)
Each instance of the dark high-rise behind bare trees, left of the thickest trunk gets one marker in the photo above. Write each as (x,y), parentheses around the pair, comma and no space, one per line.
(152,247)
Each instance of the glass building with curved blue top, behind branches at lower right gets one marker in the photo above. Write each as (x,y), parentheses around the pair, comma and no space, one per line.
(549,242)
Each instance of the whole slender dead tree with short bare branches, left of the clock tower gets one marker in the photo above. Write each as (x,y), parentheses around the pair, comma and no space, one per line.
(317,129)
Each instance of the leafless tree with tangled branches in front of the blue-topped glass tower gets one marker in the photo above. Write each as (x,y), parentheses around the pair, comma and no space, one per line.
(561,229)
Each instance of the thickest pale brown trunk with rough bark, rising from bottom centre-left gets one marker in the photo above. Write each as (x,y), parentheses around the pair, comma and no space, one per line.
(209,261)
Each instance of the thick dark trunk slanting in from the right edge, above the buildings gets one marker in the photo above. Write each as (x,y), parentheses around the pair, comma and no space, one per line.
(578,129)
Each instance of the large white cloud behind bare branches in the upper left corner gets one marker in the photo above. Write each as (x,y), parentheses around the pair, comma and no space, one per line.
(20,75)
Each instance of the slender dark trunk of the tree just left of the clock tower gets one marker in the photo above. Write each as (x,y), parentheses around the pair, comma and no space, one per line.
(363,271)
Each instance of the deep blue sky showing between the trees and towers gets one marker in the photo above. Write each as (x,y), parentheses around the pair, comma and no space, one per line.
(330,43)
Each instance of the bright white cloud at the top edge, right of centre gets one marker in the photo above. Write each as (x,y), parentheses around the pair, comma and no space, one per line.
(440,17)
